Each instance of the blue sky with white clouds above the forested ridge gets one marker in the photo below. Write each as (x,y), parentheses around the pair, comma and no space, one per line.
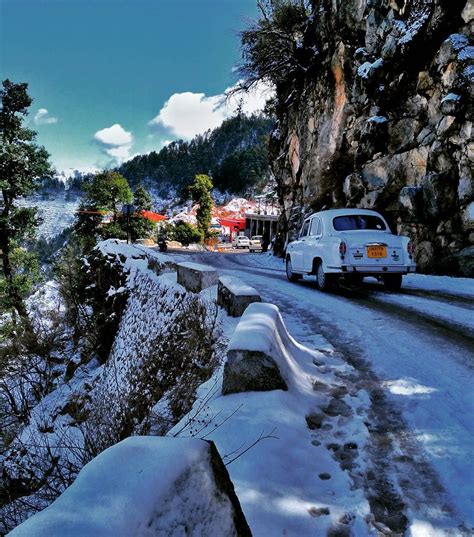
(113,78)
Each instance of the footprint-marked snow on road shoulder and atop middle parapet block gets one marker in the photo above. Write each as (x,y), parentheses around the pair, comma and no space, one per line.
(290,478)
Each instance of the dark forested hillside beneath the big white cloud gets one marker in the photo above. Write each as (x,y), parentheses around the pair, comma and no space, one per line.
(178,163)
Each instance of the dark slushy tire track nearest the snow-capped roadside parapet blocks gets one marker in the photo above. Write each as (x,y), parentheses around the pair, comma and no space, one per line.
(390,478)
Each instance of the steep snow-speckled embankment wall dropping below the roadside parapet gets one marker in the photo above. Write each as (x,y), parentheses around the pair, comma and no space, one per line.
(165,334)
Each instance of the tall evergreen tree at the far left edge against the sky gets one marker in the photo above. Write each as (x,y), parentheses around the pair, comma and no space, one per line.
(22,164)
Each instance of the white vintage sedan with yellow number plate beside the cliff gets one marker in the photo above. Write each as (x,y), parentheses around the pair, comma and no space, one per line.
(350,243)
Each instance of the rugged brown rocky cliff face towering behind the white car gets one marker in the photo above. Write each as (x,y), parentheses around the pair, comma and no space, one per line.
(383,120)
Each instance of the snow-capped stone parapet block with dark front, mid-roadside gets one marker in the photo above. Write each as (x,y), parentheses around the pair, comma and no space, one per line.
(255,360)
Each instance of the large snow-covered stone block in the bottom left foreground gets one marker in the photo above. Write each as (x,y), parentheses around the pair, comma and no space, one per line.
(146,486)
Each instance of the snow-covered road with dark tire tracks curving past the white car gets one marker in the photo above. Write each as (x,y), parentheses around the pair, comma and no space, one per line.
(415,354)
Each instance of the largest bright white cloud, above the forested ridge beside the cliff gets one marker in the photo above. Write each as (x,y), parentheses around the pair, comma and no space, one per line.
(187,114)
